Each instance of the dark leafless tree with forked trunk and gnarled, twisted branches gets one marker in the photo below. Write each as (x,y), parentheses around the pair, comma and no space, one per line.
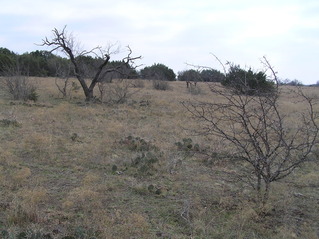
(65,42)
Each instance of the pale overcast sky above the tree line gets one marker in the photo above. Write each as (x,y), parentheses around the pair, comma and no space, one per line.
(176,32)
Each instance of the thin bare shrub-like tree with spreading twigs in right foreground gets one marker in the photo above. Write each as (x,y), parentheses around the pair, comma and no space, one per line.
(261,133)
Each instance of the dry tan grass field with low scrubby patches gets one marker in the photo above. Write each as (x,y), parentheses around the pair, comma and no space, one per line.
(70,169)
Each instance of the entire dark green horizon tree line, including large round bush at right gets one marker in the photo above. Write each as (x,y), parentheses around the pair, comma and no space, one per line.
(46,64)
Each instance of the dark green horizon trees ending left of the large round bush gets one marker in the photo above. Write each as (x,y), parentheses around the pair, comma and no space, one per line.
(46,64)
